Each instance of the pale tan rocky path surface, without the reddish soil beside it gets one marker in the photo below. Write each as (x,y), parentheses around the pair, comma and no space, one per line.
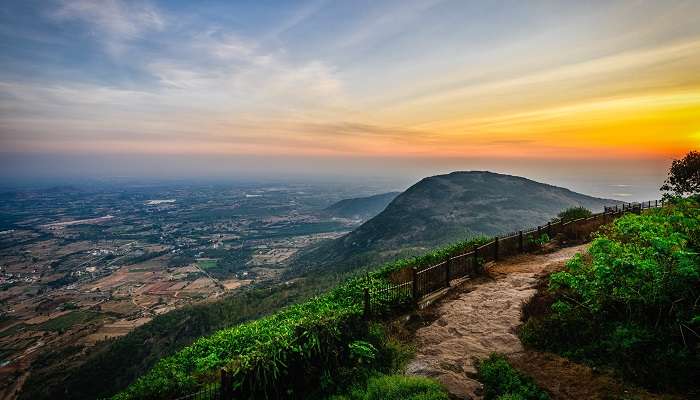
(480,319)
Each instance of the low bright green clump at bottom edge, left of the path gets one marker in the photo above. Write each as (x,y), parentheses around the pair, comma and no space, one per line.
(396,387)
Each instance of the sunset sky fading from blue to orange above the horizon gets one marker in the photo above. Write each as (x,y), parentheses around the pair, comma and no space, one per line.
(596,95)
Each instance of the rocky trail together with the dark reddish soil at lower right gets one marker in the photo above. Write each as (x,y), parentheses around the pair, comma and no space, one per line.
(481,317)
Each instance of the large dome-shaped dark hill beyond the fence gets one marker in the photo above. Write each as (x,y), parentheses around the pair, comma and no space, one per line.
(445,208)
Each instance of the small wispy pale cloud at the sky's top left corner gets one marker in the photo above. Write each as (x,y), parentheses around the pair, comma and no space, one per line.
(115,22)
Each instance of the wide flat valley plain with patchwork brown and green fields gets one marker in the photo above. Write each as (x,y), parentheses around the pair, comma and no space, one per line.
(84,266)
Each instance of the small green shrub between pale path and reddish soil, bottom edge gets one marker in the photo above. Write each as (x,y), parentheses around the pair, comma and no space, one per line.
(503,382)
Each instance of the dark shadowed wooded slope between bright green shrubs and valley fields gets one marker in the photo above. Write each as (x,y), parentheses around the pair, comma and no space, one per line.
(113,365)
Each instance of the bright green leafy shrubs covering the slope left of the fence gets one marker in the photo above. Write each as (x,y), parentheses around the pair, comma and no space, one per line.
(285,355)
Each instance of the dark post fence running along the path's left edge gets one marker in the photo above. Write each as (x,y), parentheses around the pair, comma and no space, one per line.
(409,286)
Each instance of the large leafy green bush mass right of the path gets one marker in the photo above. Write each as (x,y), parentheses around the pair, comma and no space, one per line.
(632,303)
